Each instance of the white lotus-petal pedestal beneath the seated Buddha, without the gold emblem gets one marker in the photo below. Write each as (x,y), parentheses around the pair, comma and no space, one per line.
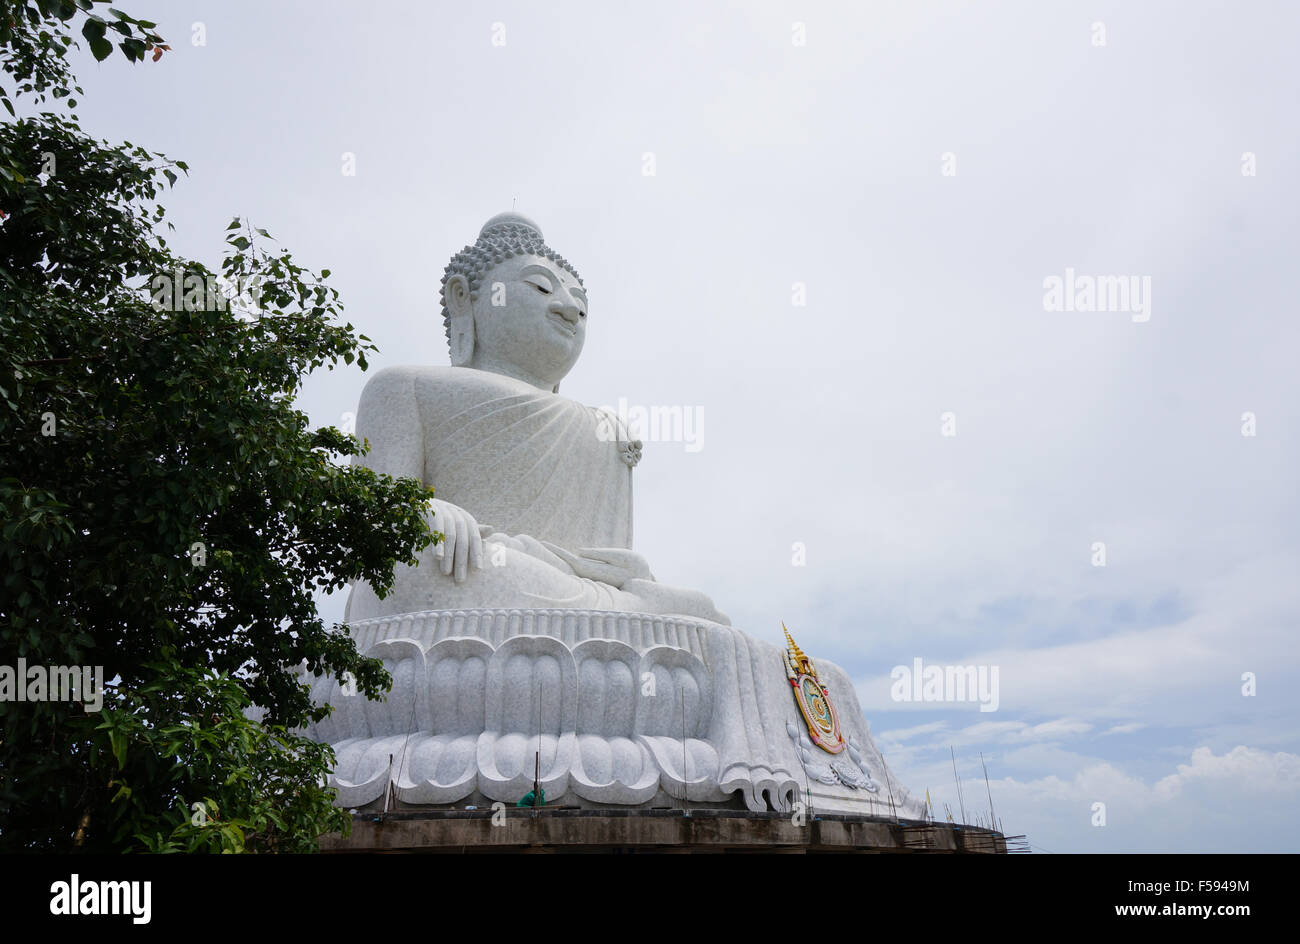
(616,709)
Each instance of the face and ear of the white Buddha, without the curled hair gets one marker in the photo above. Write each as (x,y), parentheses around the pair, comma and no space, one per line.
(530,321)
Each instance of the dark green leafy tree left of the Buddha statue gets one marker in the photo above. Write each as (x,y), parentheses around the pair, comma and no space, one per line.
(166,513)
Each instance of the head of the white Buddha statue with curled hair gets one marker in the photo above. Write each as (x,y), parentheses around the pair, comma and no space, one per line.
(514,306)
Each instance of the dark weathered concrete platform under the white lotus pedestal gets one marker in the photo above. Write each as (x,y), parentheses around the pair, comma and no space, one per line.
(651,832)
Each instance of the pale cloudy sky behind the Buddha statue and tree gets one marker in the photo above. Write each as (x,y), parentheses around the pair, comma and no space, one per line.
(842,266)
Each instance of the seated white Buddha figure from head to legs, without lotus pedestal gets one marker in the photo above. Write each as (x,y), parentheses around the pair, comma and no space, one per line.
(534,493)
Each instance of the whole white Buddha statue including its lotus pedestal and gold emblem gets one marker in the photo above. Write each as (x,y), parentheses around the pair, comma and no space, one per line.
(534,640)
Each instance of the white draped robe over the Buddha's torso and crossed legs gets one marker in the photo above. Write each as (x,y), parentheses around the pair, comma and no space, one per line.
(547,475)
